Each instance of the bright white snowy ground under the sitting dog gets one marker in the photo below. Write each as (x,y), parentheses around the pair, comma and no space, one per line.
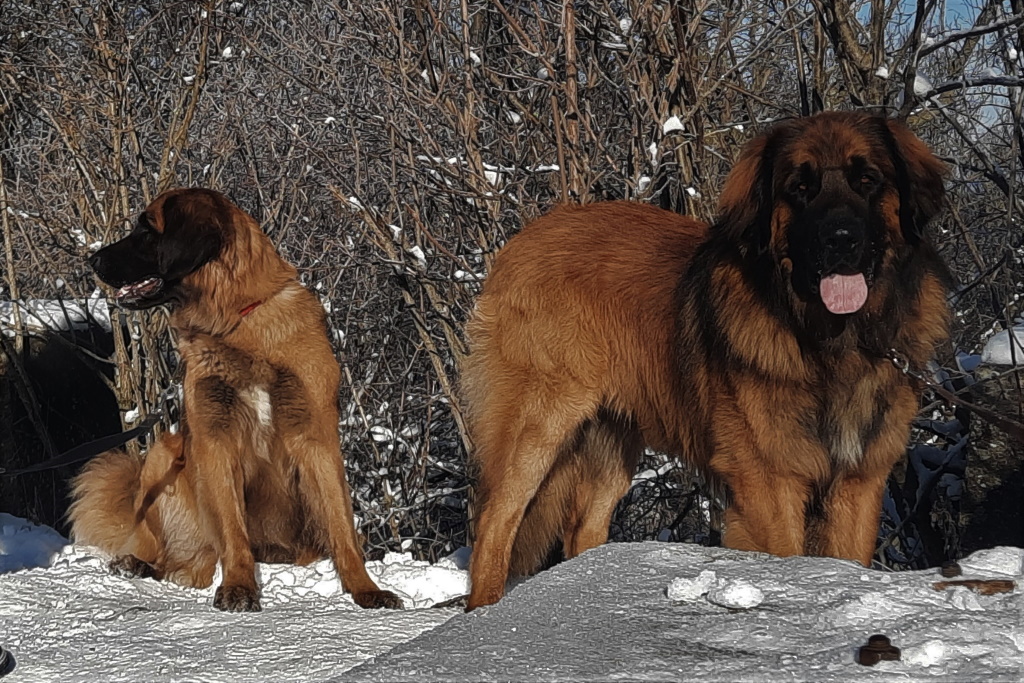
(70,620)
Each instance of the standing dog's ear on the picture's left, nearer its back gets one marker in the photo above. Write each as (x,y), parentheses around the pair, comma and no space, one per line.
(748,199)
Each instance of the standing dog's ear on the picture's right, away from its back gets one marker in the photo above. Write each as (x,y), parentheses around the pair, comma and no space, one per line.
(919,180)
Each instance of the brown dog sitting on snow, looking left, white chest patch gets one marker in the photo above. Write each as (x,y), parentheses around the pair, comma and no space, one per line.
(258,473)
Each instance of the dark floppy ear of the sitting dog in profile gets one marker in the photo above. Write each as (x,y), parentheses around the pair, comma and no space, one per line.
(194,228)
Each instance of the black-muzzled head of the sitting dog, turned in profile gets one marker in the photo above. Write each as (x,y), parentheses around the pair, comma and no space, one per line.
(177,236)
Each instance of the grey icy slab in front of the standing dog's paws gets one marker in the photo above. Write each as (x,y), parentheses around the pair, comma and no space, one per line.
(605,616)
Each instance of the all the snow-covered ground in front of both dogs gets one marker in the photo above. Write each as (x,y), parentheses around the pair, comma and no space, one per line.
(639,612)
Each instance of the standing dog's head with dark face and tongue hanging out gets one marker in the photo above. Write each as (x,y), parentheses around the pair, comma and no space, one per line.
(828,197)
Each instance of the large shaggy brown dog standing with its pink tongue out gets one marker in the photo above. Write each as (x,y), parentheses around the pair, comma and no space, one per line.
(756,349)
